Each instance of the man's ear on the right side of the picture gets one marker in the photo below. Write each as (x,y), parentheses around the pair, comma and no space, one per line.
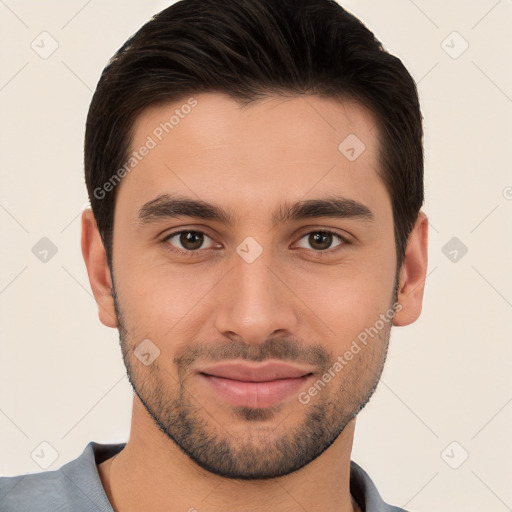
(413,274)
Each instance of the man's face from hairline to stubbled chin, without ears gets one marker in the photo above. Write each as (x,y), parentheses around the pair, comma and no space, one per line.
(289,257)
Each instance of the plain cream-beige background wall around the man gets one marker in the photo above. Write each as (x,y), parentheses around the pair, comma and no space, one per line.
(448,375)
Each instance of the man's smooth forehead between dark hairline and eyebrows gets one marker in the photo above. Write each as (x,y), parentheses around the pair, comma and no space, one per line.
(210,146)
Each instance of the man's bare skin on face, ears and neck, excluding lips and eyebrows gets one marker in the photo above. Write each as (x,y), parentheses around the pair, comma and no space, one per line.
(189,449)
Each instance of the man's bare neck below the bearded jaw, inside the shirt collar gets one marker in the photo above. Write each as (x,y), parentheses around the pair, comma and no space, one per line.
(152,473)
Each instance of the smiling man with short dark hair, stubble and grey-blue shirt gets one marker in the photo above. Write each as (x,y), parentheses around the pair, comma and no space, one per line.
(255,171)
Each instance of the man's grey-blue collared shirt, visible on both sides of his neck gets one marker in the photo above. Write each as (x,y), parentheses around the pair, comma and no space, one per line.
(77,487)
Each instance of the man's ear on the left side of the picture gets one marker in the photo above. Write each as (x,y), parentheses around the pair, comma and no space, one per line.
(95,259)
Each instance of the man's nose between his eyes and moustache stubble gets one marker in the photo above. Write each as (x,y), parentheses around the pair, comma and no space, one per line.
(255,301)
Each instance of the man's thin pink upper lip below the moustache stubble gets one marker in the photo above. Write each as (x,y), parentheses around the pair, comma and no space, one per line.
(259,372)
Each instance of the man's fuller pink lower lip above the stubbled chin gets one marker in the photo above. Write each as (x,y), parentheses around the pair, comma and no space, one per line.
(254,394)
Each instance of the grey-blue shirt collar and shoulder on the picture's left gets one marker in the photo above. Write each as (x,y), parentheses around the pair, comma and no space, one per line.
(75,486)
